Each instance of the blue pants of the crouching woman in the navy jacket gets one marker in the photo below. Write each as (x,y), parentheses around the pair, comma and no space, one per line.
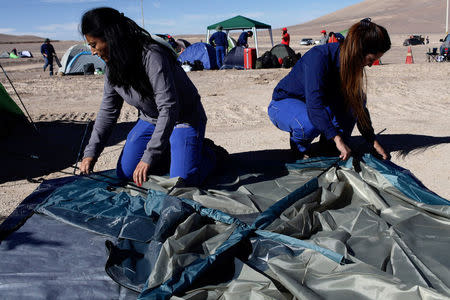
(291,115)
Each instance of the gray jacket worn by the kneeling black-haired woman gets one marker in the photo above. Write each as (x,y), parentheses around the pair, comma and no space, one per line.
(175,100)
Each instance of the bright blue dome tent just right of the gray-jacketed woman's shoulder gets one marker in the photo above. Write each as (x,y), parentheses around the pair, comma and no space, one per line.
(202,52)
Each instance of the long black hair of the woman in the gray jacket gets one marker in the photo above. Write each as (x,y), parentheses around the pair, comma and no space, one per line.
(126,41)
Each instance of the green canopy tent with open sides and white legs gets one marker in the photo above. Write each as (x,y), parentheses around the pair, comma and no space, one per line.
(241,23)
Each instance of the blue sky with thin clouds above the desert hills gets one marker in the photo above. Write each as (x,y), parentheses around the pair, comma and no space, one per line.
(59,19)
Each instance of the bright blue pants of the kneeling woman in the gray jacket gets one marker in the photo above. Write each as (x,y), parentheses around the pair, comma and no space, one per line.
(188,158)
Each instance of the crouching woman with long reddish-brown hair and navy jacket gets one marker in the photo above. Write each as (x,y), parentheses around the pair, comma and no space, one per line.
(324,92)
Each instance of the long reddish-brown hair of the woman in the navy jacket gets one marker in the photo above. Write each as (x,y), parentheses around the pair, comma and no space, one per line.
(363,38)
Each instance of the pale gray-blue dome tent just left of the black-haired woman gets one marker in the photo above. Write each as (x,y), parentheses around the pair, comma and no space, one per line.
(76,57)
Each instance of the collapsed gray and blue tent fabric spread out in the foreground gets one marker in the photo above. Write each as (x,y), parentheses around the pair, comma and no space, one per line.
(310,229)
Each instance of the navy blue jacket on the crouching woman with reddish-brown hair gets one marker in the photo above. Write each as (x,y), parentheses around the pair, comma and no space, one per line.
(315,80)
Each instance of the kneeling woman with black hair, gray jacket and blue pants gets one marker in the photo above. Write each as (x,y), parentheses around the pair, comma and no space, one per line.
(146,75)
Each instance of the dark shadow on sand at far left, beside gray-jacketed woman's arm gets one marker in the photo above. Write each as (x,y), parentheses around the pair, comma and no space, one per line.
(26,154)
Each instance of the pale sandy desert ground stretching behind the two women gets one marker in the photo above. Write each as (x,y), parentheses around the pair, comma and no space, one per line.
(410,103)
